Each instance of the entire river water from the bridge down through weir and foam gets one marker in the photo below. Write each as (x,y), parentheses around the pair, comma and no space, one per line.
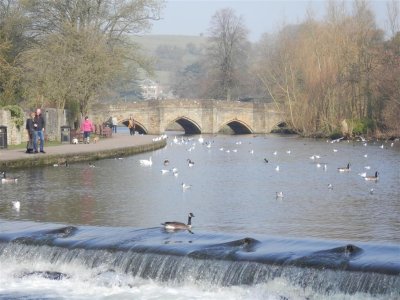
(93,231)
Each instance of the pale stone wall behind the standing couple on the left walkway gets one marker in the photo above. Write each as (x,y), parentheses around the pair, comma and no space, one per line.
(55,118)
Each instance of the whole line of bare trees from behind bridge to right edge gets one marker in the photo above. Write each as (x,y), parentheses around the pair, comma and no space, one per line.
(339,75)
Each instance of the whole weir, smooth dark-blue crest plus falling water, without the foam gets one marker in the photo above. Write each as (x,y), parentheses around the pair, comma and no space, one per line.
(182,257)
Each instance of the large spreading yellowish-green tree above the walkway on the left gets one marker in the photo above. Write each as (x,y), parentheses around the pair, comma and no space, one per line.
(82,48)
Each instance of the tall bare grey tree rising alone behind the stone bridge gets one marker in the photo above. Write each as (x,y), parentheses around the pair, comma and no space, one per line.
(227,50)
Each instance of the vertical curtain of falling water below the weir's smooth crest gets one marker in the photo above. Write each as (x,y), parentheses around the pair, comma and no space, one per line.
(186,269)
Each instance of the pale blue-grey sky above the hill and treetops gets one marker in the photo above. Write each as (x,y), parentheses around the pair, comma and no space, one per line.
(192,17)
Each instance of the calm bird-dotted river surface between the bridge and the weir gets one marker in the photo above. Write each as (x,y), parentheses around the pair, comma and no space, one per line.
(233,189)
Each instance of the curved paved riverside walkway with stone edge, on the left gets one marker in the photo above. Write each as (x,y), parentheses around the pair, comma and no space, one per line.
(118,145)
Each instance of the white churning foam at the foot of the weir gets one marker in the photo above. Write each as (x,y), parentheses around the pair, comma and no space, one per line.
(25,280)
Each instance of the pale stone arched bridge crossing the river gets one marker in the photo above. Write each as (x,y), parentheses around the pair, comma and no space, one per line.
(195,116)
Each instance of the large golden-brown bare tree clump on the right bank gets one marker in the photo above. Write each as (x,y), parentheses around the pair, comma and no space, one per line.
(324,73)
